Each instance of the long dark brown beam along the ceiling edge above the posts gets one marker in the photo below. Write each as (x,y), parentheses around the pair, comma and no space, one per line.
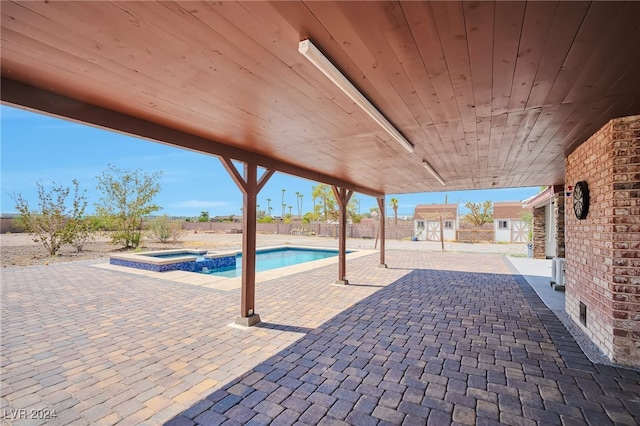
(32,98)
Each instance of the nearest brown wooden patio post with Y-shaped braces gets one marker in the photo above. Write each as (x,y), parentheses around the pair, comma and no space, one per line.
(250,186)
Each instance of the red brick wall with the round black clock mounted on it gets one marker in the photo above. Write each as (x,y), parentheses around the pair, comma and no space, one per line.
(603,250)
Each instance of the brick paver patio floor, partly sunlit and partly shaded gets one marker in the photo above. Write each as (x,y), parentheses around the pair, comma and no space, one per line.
(437,338)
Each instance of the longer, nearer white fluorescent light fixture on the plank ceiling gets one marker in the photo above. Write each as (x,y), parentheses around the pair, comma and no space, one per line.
(311,52)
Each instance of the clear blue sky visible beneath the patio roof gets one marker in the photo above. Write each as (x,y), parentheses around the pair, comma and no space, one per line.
(36,147)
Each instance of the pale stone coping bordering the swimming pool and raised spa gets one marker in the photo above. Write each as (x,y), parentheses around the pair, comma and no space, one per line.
(228,284)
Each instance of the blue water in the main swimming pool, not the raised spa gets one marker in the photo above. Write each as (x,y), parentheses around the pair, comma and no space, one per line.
(274,258)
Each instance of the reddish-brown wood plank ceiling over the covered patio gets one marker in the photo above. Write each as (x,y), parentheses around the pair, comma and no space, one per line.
(493,95)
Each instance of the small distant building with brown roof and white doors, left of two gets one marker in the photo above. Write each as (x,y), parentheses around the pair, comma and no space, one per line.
(427,219)
